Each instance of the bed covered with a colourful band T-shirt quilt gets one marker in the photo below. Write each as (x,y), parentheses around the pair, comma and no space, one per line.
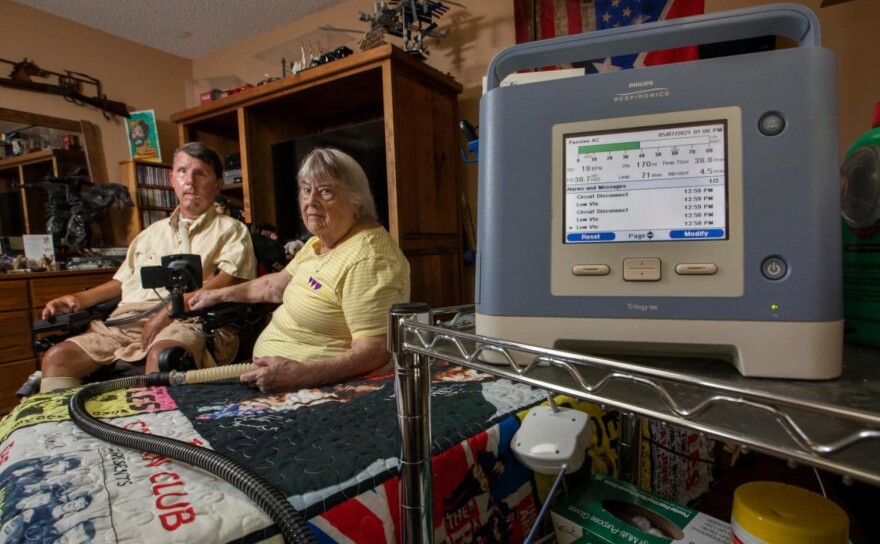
(333,451)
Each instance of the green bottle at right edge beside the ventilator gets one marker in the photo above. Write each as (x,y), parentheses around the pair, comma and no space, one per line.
(860,208)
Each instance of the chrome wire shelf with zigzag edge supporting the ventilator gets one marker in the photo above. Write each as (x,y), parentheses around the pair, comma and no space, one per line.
(833,425)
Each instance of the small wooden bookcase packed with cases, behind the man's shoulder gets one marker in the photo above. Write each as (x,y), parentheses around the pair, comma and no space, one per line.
(149,184)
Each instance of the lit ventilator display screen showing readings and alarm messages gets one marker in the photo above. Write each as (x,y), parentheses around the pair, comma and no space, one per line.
(657,183)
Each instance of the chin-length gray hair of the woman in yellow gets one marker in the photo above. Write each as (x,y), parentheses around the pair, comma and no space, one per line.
(330,164)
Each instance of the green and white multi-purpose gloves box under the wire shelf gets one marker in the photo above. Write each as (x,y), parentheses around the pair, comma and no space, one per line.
(609,511)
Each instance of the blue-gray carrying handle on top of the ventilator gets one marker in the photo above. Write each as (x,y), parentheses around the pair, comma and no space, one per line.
(790,20)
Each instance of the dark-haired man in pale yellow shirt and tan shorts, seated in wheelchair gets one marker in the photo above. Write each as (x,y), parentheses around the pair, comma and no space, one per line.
(227,255)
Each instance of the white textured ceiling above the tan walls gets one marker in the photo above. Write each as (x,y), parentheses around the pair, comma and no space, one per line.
(185,28)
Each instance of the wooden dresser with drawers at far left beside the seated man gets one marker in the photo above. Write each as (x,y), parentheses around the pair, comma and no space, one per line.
(22,298)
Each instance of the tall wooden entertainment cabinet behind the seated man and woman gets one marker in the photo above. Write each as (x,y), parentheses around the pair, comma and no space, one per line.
(381,104)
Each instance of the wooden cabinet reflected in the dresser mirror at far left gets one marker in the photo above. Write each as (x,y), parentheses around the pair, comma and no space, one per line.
(23,210)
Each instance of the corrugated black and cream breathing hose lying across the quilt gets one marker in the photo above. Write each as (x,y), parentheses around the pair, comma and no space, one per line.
(268,497)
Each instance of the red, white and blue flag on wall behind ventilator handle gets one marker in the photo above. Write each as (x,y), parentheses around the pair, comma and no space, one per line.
(542,19)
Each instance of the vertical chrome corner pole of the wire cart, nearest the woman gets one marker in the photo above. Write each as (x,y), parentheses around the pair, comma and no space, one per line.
(412,385)
